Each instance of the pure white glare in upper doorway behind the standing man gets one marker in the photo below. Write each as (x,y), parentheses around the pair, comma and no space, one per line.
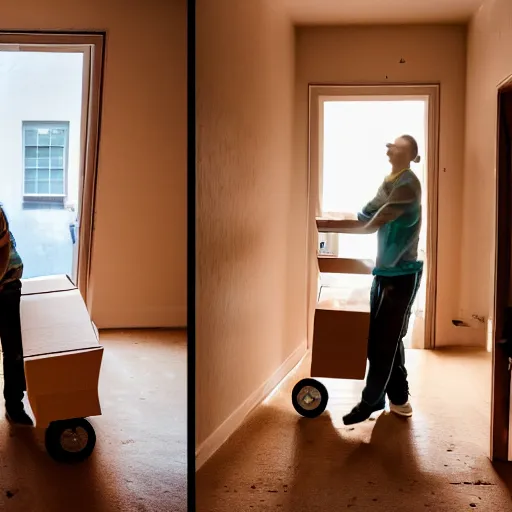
(355,134)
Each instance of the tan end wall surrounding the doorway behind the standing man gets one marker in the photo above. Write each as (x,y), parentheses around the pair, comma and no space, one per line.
(367,55)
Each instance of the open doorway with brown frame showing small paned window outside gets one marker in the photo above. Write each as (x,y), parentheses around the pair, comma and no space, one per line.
(49,123)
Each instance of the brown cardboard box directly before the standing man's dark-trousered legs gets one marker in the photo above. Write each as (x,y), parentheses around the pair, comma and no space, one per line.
(340,336)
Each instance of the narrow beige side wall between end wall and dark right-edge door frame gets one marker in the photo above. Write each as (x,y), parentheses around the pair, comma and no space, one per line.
(489,63)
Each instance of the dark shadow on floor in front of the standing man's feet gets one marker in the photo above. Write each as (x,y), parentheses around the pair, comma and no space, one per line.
(372,466)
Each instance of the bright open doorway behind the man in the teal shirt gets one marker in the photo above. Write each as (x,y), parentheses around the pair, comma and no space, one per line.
(354,163)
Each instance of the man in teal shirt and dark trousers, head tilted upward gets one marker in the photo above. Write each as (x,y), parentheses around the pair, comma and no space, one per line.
(395,213)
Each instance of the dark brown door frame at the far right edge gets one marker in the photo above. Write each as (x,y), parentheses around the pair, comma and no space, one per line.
(501,441)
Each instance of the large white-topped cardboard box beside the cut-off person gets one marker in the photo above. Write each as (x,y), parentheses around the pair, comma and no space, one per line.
(61,351)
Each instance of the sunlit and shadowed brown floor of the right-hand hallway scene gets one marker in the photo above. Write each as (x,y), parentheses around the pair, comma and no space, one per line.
(437,460)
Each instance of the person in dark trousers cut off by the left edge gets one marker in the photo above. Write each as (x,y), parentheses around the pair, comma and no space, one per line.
(11,270)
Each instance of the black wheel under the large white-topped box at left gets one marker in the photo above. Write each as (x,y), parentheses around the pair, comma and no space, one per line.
(70,440)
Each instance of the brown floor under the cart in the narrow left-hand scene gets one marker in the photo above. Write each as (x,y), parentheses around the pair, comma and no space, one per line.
(139,463)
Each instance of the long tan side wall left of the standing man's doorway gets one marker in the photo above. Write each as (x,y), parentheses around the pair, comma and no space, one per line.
(251,307)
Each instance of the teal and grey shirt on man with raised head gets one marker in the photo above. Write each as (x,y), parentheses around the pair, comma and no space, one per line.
(398,239)
